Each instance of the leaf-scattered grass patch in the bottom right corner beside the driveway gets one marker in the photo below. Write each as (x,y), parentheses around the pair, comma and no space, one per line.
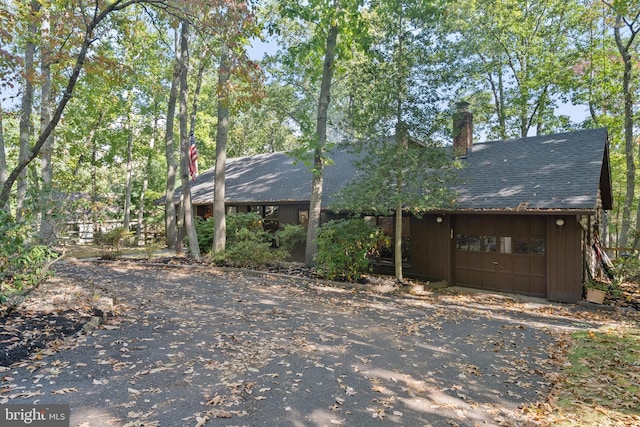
(602,379)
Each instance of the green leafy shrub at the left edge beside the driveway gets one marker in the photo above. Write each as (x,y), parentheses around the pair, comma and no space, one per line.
(23,264)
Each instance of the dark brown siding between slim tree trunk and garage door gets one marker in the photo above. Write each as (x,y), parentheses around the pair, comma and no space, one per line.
(430,247)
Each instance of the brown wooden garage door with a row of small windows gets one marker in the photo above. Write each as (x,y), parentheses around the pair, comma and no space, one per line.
(503,253)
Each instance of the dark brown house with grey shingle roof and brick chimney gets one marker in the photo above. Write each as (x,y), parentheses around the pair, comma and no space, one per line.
(523,222)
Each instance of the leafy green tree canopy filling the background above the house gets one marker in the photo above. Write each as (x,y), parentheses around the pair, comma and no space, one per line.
(525,68)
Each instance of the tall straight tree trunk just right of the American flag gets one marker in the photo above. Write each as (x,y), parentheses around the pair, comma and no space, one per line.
(219,213)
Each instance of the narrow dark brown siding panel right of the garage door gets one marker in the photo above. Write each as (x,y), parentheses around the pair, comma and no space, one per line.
(564,259)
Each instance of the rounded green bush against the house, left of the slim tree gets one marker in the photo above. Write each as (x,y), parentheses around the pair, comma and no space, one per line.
(345,246)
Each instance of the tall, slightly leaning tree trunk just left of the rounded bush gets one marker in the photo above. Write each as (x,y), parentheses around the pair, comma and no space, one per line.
(315,204)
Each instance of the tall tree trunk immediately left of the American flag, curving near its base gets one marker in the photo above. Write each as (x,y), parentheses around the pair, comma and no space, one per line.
(186,206)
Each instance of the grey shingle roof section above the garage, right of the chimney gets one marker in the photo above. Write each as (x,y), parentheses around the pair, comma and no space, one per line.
(560,171)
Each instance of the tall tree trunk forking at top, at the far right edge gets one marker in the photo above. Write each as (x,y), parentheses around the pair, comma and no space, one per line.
(629,147)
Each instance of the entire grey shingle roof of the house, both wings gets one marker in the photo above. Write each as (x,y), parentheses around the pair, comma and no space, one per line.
(560,171)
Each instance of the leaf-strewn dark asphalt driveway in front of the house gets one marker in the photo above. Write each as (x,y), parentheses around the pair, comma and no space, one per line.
(194,347)
